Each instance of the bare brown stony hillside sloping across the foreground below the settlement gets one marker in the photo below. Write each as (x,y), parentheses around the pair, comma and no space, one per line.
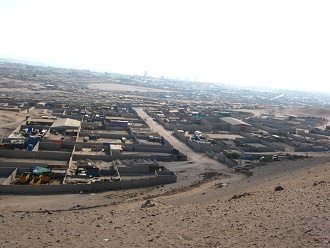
(246,213)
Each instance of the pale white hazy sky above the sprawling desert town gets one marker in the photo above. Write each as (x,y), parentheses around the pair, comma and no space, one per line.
(264,43)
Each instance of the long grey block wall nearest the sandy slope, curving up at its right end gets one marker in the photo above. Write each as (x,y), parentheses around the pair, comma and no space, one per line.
(95,187)
